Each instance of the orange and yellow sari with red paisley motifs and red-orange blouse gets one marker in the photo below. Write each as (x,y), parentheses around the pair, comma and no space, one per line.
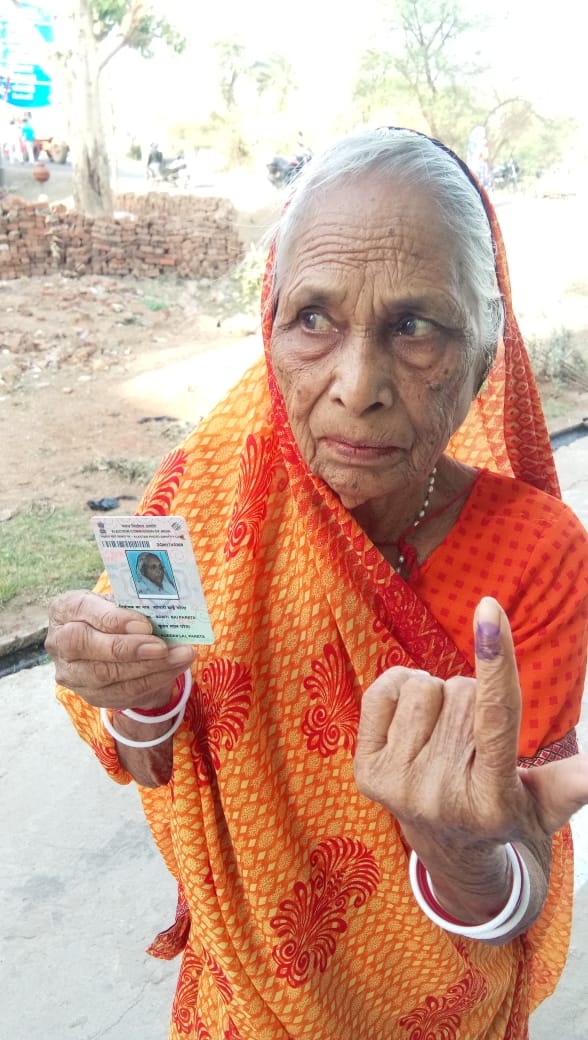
(296,916)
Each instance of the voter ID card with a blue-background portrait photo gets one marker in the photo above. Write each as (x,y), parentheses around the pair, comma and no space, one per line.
(151,566)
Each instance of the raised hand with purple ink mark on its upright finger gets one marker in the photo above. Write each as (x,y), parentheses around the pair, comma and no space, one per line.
(442,757)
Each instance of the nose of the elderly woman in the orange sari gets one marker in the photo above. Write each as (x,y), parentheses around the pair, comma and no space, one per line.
(363,379)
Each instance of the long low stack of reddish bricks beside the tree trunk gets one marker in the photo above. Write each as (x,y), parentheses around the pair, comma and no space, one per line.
(149,236)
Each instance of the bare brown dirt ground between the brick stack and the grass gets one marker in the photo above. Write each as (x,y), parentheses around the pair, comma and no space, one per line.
(76,394)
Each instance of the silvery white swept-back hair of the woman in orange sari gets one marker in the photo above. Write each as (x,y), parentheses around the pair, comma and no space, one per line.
(420,162)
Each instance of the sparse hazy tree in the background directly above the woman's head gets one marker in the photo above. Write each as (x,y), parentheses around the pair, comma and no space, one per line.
(426,73)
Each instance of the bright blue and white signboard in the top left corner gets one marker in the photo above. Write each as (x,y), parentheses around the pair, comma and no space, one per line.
(23,46)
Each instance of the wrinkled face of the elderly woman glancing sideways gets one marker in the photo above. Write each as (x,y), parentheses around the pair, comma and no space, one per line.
(374,346)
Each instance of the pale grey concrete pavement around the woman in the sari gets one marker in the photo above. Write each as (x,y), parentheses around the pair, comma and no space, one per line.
(83,891)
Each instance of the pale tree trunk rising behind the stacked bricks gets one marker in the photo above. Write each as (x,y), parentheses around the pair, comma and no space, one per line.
(93,194)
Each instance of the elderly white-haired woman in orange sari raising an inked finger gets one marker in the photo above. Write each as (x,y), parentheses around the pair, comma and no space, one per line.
(350,795)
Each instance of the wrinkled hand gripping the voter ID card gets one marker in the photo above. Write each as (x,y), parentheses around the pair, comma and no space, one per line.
(109,656)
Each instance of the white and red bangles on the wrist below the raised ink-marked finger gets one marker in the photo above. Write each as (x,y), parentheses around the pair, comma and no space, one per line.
(504,923)
